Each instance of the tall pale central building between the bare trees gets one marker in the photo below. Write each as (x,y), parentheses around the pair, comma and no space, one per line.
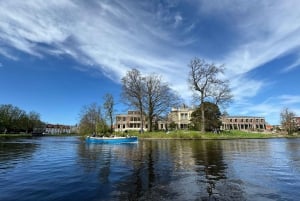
(181,116)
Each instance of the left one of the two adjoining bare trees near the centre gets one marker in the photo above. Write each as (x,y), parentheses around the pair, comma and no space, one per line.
(133,91)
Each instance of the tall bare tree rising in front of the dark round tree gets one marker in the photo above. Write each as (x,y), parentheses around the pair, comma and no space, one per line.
(203,80)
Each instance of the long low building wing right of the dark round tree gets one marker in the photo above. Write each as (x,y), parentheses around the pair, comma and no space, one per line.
(243,123)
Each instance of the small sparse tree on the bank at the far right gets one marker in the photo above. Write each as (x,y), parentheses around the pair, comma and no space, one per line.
(287,120)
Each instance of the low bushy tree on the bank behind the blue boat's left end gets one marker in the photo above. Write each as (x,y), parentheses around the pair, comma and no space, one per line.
(91,120)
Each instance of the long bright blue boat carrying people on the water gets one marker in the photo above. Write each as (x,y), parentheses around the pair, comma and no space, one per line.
(112,140)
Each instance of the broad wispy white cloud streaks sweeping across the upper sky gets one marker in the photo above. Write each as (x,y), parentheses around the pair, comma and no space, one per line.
(114,36)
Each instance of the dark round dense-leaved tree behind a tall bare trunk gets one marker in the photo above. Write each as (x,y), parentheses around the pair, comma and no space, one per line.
(212,115)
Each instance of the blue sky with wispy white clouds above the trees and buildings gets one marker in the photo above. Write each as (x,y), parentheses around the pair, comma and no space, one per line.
(57,56)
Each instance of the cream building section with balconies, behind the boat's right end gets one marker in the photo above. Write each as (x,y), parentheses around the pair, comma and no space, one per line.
(130,121)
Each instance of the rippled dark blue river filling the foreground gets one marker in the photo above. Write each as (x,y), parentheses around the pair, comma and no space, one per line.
(67,168)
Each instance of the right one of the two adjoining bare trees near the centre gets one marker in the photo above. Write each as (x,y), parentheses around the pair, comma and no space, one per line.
(159,97)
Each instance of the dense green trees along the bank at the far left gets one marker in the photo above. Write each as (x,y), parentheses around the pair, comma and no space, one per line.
(16,120)
